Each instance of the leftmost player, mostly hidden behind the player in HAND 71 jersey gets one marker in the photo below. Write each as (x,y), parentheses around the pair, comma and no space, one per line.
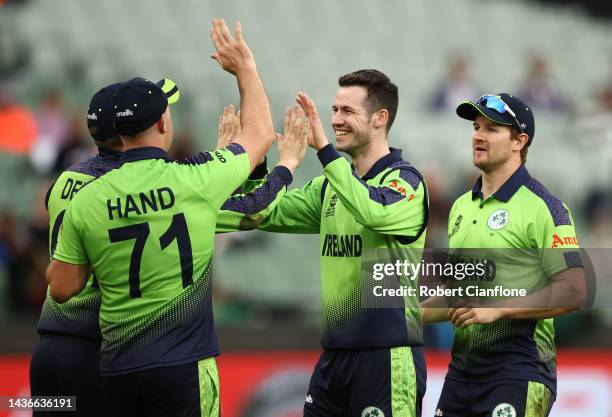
(66,359)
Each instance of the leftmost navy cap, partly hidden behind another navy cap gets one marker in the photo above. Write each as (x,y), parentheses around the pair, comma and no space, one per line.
(100,114)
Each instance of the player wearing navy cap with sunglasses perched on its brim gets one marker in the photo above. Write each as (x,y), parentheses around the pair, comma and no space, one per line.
(503,357)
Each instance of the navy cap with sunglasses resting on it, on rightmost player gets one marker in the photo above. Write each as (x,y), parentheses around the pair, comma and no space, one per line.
(524,116)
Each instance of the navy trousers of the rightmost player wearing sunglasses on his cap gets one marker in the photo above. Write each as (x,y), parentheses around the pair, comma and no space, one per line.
(504,398)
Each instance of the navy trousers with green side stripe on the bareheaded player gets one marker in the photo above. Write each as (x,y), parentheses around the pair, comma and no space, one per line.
(367,383)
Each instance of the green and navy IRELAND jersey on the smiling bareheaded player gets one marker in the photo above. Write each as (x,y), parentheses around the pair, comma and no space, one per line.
(386,208)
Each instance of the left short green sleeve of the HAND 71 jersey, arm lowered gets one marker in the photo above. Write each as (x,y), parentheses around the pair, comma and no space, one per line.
(70,247)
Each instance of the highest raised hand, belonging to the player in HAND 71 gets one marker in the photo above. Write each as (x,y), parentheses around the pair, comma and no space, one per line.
(233,55)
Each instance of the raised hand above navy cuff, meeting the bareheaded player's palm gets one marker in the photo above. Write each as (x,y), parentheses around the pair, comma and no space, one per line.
(292,145)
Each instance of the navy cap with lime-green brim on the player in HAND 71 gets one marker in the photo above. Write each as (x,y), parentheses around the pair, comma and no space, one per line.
(140,103)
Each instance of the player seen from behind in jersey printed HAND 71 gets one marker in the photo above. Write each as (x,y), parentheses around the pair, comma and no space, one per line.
(146,229)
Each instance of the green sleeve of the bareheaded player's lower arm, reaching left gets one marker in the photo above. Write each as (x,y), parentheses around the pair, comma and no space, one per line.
(299,211)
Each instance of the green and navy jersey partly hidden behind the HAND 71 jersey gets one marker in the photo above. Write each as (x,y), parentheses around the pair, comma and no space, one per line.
(77,317)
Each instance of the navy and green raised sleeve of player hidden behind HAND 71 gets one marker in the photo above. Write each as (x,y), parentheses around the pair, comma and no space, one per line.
(246,210)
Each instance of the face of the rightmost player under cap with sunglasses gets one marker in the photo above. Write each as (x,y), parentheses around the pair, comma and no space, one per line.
(493,145)
